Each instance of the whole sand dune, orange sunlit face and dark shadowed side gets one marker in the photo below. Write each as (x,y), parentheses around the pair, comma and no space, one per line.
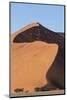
(37,59)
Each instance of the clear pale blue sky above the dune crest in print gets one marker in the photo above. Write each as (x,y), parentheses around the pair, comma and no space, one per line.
(50,16)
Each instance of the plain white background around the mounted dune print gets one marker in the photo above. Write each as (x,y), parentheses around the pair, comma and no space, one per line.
(4,49)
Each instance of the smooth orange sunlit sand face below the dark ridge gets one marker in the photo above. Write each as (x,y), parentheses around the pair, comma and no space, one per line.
(30,63)
